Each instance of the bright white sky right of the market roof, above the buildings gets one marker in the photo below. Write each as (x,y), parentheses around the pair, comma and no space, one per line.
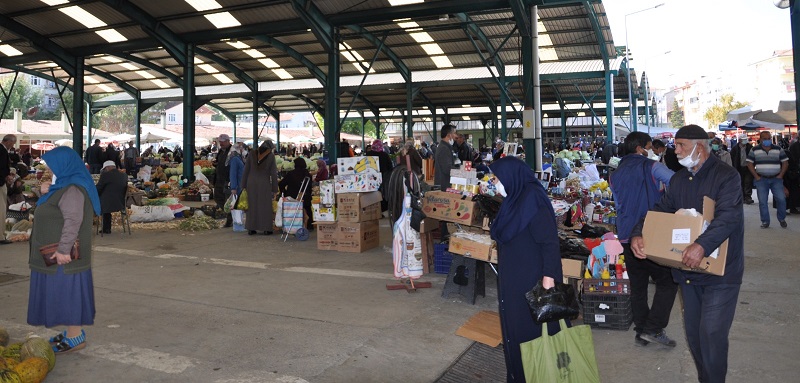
(703,37)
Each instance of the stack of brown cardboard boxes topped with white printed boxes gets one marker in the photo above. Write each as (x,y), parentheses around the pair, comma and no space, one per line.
(349,207)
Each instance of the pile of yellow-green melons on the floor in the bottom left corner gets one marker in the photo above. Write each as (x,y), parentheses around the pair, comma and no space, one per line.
(26,362)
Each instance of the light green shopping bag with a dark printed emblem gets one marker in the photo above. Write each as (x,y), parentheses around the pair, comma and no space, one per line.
(567,357)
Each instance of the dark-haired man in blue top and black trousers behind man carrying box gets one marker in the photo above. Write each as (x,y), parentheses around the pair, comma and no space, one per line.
(638,183)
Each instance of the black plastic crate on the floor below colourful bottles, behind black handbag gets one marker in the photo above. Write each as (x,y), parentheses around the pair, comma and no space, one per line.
(611,311)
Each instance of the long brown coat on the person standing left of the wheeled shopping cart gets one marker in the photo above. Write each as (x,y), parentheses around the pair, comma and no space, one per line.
(261,182)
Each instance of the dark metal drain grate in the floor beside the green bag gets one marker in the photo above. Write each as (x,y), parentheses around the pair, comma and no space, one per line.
(480,363)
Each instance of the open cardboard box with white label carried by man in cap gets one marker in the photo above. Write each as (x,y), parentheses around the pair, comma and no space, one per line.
(666,235)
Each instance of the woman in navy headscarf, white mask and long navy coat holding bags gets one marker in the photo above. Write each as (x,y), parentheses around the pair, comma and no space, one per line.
(528,252)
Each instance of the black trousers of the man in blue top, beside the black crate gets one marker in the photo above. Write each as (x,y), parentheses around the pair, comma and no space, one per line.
(653,318)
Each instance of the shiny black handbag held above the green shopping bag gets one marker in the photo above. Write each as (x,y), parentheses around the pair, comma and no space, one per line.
(552,304)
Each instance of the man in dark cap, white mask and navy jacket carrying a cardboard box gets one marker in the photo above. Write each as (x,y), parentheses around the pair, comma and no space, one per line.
(709,300)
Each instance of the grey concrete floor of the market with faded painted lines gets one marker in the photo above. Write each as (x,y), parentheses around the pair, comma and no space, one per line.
(226,307)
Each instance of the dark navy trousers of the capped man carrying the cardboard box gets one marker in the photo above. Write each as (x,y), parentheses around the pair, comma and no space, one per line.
(707,316)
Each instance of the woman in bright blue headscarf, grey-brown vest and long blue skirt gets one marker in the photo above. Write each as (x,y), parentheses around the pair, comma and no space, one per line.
(63,294)
